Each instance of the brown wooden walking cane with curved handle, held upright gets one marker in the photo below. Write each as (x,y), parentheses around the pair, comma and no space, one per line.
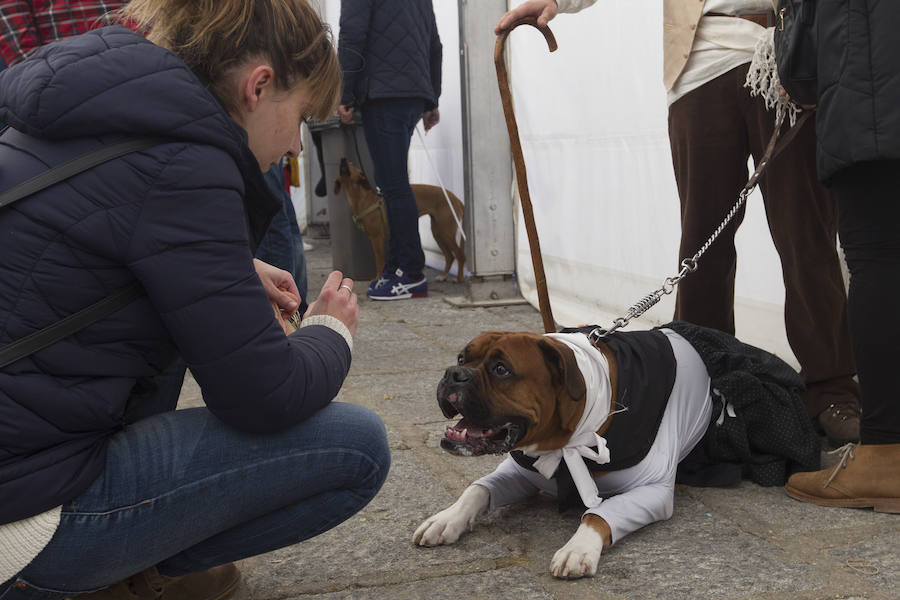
(519,162)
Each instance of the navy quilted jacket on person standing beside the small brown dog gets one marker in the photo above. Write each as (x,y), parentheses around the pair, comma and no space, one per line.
(389,49)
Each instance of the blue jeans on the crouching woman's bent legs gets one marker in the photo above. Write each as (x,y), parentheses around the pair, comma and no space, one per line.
(186,493)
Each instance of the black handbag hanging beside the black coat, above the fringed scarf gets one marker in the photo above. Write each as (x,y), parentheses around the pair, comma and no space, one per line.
(795,49)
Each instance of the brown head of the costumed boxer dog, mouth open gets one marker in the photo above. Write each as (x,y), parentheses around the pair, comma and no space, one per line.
(513,390)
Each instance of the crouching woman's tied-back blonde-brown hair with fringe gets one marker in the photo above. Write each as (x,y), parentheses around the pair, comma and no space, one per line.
(213,37)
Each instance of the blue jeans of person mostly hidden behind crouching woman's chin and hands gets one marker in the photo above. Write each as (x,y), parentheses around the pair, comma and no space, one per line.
(282,245)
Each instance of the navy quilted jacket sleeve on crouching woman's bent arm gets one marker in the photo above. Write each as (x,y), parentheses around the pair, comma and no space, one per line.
(189,250)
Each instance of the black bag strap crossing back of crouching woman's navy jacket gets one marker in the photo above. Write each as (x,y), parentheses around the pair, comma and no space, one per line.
(117,300)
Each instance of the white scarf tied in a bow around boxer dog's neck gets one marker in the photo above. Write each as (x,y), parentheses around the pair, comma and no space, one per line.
(595,370)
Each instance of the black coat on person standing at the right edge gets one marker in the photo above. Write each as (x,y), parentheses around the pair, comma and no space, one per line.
(858,118)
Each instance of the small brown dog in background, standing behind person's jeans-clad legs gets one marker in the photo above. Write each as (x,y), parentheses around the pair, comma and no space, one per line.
(370,215)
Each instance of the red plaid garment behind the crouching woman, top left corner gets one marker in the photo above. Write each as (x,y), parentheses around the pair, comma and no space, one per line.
(25,26)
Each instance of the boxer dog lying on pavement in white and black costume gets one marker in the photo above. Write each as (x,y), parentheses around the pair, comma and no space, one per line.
(562,401)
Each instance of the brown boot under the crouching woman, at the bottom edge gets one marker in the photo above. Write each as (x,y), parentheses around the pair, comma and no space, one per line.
(215,584)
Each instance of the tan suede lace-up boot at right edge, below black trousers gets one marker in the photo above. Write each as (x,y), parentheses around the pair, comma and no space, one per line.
(866,476)
